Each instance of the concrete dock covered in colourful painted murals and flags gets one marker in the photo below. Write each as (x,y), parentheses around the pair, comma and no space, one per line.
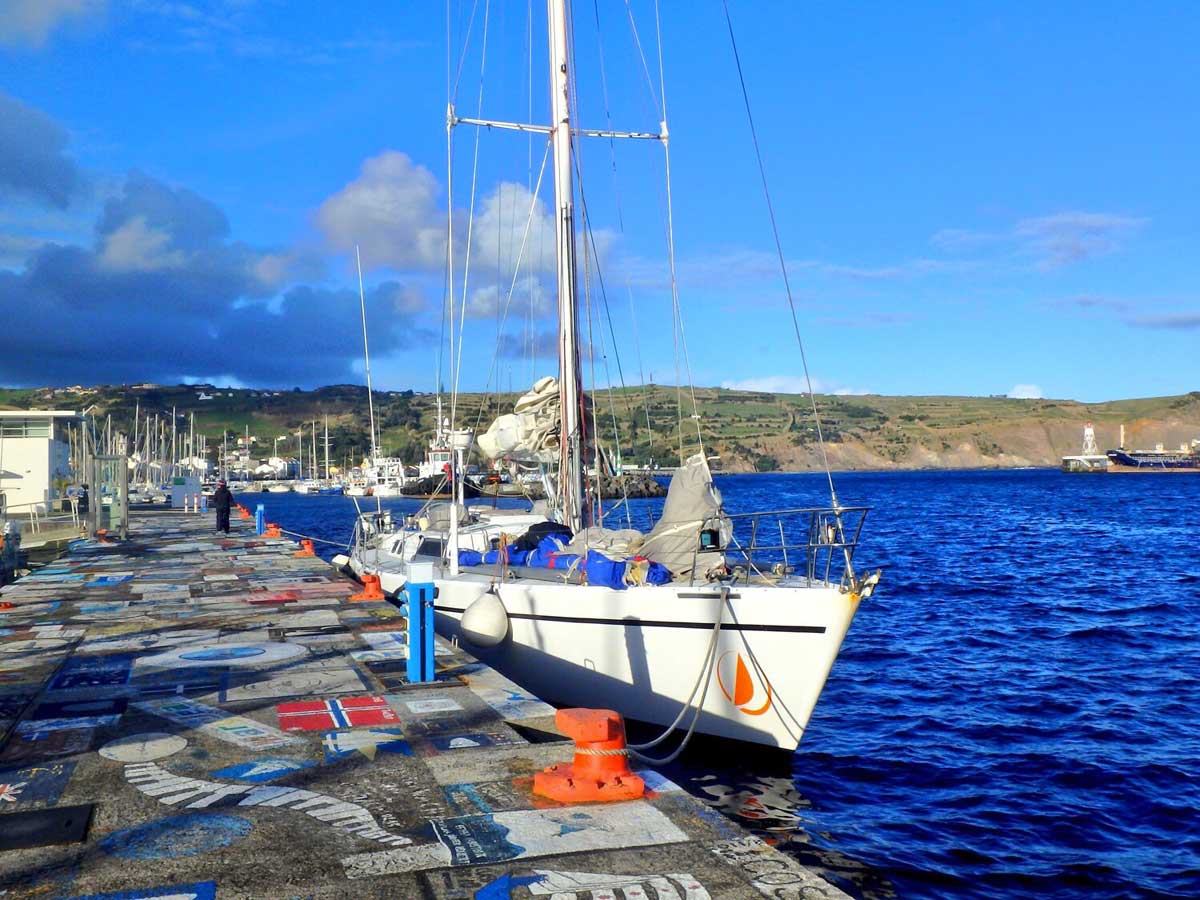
(189,715)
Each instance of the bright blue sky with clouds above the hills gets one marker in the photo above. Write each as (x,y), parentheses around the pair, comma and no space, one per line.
(976,199)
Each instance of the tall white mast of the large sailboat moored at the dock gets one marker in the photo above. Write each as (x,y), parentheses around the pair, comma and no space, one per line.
(571,391)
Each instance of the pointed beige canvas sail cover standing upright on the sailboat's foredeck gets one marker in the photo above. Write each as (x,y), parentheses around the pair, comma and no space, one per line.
(693,505)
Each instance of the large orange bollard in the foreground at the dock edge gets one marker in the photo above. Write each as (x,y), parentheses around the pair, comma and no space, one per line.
(601,770)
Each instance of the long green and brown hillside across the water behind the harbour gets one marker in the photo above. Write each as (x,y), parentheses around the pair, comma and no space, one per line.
(749,431)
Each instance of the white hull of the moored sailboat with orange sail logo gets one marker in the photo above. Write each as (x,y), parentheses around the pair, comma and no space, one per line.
(643,650)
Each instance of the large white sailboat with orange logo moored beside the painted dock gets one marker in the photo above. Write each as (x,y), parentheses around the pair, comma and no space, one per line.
(739,643)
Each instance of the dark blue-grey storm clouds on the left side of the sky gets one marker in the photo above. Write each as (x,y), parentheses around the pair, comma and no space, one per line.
(165,292)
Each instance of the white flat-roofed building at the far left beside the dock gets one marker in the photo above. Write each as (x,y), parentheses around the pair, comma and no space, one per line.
(34,452)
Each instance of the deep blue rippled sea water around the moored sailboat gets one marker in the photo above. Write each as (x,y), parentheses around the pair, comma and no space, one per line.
(1015,713)
